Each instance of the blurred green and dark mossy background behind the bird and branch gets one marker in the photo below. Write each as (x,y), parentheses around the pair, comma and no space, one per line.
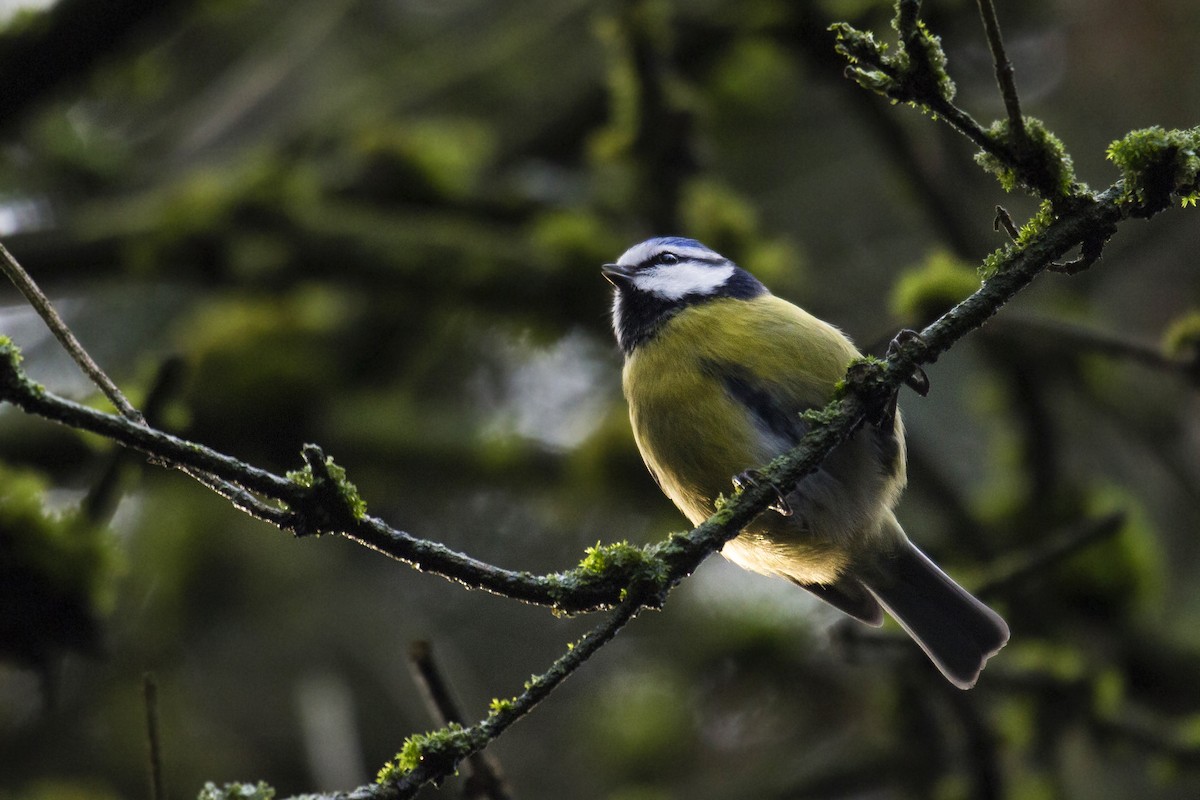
(376,225)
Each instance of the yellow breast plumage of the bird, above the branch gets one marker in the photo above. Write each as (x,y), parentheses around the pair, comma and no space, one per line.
(693,434)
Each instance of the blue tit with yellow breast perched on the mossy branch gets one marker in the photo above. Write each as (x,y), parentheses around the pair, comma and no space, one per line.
(717,374)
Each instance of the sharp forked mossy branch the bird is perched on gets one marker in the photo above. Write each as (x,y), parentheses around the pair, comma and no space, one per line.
(320,500)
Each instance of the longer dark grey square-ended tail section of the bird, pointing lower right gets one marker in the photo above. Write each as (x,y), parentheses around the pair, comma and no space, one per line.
(957,631)
